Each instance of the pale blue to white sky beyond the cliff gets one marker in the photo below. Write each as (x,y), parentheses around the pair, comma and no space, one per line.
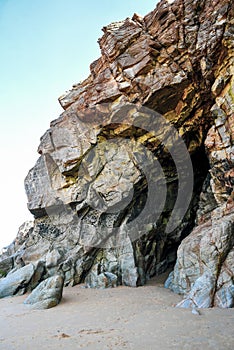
(46,47)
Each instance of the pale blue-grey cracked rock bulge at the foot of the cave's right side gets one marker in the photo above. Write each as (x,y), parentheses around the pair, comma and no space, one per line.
(197,271)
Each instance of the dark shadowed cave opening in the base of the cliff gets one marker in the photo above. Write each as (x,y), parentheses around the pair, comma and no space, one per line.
(156,252)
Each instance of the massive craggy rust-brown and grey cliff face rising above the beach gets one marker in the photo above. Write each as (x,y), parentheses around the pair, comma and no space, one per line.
(115,191)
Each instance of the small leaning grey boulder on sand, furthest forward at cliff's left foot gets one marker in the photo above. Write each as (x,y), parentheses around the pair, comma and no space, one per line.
(47,294)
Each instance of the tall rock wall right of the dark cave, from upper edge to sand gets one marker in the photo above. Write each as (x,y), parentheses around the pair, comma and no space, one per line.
(205,265)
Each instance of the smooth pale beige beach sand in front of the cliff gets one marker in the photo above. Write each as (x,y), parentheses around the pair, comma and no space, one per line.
(118,318)
